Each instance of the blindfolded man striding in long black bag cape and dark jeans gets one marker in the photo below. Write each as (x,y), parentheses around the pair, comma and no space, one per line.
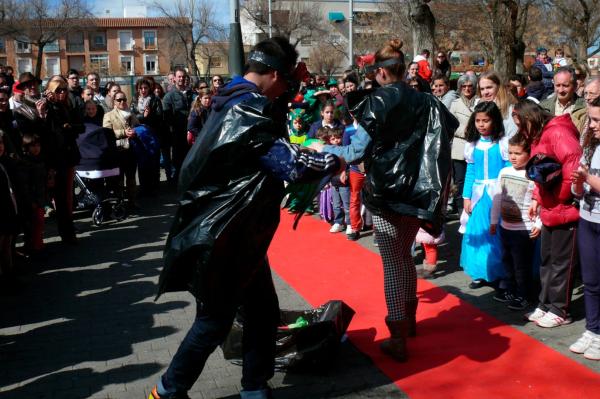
(231,186)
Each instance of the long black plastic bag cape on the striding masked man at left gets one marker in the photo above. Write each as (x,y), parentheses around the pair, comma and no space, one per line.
(228,209)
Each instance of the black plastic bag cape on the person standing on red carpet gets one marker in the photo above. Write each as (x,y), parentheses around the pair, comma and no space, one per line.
(409,169)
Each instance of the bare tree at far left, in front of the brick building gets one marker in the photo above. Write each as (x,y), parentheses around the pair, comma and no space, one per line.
(41,22)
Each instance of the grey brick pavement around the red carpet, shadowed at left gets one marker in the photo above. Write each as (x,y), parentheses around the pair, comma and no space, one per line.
(86,325)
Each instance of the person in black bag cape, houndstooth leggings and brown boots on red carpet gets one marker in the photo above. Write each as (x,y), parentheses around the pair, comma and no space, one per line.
(405,140)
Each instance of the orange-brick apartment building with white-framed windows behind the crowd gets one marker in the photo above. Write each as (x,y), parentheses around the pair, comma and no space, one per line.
(109,46)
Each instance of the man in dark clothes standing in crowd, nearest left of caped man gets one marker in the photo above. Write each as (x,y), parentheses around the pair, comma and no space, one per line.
(176,109)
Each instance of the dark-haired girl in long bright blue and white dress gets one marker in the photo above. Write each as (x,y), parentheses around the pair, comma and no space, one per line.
(486,154)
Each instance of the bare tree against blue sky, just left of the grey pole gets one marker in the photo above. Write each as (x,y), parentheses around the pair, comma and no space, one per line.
(193,22)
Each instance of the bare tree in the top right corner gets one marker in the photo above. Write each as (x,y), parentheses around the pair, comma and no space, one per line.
(580,21)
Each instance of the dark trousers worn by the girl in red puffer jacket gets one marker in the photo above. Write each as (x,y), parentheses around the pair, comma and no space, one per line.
(560,258)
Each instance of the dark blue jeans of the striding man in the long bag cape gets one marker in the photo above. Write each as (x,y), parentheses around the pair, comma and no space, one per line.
(260,312)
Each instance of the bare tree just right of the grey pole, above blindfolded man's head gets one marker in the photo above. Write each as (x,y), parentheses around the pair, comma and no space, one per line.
(295,20)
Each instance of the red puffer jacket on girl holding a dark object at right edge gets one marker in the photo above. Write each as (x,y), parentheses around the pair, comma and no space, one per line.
(560,140)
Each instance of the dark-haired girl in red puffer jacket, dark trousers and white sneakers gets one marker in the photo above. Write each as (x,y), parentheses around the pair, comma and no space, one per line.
(556,139)
